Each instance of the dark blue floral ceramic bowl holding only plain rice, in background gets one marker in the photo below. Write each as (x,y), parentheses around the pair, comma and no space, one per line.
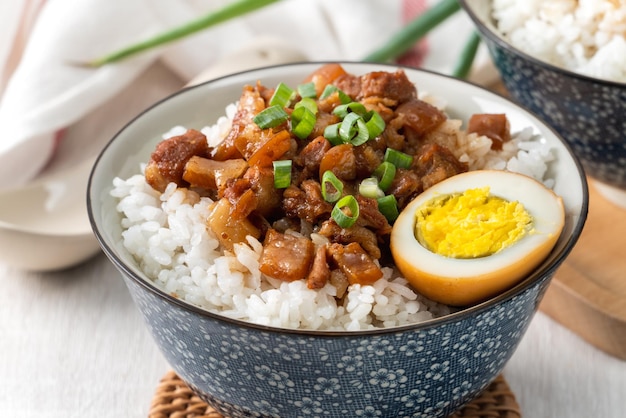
(589,113)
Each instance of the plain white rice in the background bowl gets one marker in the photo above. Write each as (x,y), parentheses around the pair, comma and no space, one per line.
(584,36)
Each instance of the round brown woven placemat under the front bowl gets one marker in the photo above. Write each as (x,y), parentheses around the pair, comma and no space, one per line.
(174,399)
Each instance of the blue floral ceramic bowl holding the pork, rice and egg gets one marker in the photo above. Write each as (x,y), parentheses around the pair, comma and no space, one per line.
(429,369)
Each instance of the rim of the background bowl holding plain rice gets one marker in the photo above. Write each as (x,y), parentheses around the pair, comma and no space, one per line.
(469,7)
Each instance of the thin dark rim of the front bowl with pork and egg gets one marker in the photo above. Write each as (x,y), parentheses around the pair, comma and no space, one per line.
(545,273)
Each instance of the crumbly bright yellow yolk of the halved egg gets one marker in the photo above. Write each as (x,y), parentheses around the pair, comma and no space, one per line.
(471,224)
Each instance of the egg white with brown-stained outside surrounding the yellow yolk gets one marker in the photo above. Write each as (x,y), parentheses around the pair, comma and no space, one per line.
(462,282)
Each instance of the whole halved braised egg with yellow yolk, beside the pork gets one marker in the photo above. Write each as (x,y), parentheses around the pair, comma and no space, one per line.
(475,235)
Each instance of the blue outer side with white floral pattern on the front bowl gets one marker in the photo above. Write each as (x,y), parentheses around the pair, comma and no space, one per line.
(422,371)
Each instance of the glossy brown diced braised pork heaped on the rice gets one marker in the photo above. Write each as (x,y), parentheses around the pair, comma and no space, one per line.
(239,175)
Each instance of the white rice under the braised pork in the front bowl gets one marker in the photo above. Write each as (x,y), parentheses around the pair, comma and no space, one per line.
(167,235)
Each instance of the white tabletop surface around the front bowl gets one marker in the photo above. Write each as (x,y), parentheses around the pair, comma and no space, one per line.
(74,345)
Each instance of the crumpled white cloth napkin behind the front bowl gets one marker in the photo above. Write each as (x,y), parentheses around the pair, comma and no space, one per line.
(42,92)
